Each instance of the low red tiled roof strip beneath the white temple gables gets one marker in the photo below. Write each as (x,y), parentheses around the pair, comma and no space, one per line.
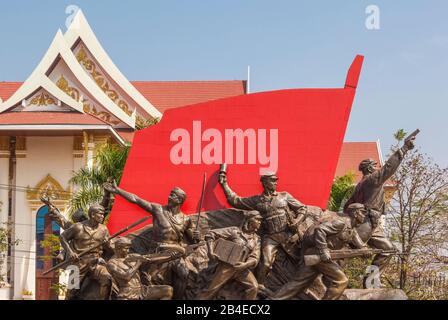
(48,118)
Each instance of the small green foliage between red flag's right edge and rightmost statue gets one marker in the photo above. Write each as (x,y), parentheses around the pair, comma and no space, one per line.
(341,190)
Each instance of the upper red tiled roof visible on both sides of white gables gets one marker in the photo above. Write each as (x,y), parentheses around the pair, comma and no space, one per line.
(168,94)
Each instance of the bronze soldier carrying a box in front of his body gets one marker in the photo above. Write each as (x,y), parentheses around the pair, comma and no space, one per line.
(243,244)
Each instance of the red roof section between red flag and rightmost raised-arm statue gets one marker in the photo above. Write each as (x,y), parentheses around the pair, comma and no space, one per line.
(352,153)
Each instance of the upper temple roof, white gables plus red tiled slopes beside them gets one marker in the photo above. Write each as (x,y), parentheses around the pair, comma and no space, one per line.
(77,74)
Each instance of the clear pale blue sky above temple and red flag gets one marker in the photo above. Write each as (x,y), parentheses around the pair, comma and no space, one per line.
(288,44)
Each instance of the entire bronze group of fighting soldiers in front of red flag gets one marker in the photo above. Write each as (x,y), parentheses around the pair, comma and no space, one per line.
(269,246)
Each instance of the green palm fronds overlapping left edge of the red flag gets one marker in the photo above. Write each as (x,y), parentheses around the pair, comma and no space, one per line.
(109,164)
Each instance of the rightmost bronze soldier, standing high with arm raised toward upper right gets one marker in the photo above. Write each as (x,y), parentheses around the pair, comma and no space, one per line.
(370,192)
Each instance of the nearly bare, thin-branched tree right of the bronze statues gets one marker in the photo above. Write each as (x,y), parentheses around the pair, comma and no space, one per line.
(417,218)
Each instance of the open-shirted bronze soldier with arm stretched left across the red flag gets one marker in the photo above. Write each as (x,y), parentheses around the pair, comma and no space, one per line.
(170,226)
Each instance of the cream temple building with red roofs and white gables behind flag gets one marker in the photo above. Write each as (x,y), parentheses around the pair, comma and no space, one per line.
(53,124)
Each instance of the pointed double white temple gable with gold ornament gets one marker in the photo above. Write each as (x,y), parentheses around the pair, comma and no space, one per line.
(76,74)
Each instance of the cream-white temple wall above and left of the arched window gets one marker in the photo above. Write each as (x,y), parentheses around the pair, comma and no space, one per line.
(44,155)
